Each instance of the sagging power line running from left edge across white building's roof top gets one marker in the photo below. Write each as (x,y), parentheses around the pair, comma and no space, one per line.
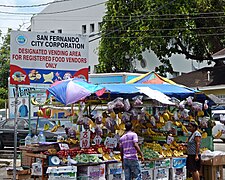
(56,12)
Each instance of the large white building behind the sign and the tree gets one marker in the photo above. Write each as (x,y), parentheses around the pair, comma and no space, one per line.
(84,17)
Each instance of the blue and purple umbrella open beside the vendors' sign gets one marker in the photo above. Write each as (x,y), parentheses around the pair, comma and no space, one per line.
(72,90)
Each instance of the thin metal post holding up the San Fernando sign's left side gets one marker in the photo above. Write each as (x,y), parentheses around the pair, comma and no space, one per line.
(15,133)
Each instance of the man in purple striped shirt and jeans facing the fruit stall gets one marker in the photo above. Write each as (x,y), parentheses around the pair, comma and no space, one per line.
(129,148)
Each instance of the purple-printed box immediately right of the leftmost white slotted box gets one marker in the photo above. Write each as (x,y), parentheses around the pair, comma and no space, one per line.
(92,172)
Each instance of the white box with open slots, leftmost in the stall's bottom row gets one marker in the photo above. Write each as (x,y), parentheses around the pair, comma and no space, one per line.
(62,172)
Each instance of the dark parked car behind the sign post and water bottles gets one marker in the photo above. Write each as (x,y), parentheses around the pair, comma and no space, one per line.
(7,130)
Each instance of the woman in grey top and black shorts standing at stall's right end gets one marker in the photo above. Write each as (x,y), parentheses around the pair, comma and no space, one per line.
(193,151)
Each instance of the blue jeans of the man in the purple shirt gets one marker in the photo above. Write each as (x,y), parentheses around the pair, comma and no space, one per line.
(132,169)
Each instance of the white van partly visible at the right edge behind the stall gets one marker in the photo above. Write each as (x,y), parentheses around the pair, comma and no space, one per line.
(219,117)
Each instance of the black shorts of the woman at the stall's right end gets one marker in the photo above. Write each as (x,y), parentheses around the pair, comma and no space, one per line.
(192,164)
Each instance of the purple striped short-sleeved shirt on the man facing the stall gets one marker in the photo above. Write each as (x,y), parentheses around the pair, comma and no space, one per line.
(127,143)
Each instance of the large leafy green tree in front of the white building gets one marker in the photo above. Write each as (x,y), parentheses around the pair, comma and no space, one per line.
(167,27)
